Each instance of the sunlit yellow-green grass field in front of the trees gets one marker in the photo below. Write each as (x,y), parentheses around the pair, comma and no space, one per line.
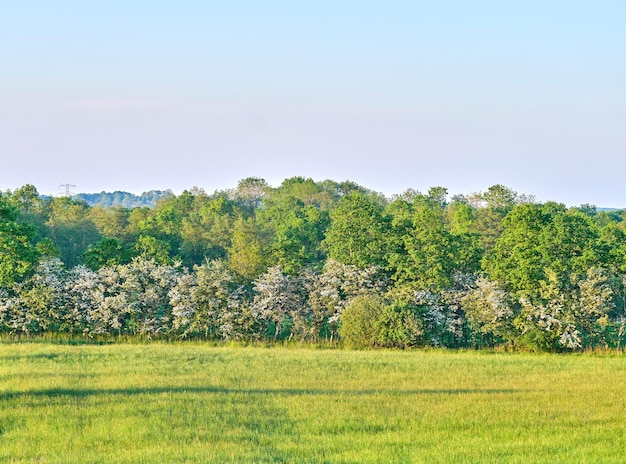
(198,403)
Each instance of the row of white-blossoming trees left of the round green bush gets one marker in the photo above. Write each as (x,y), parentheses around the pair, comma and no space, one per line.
(154,300)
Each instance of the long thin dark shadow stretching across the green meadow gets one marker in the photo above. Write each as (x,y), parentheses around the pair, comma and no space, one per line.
(84,393)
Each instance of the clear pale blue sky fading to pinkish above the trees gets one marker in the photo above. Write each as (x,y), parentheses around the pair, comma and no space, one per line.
(142,95)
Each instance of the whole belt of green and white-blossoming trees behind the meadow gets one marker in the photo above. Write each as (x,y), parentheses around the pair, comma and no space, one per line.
(317,261)
